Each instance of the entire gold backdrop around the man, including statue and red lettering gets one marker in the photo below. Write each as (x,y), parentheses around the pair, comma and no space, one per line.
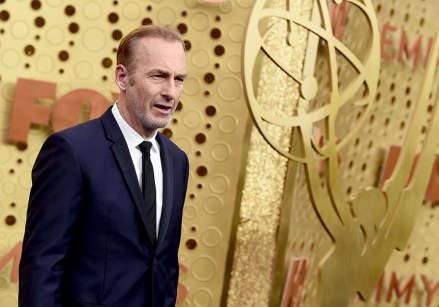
(310,125)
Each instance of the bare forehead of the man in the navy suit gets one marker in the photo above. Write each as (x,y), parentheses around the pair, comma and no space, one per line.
(160,54)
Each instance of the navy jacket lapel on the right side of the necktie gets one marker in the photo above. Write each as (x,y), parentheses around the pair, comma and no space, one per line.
(167,166)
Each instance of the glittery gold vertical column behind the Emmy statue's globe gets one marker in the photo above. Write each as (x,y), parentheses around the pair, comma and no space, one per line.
(254,258)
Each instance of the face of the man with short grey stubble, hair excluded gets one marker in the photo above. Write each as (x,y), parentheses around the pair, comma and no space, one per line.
(155,85)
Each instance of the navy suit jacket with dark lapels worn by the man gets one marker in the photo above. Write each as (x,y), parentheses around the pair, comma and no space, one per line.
(86,242)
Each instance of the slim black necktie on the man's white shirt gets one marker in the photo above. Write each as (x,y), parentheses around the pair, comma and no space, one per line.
(148,188)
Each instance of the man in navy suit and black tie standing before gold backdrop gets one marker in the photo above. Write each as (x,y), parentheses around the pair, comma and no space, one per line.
(88,239)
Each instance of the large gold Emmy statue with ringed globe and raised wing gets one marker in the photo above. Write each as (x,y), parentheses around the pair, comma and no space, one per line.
(366,229)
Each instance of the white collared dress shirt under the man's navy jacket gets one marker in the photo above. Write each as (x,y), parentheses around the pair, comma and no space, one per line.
(133,139)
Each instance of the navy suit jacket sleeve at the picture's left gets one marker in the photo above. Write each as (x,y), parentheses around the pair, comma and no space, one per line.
(53,211)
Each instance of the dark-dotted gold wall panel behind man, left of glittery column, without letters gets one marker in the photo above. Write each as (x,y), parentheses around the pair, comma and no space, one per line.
(73,44)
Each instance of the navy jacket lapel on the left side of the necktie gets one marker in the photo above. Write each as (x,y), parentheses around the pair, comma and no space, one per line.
(123,158)
